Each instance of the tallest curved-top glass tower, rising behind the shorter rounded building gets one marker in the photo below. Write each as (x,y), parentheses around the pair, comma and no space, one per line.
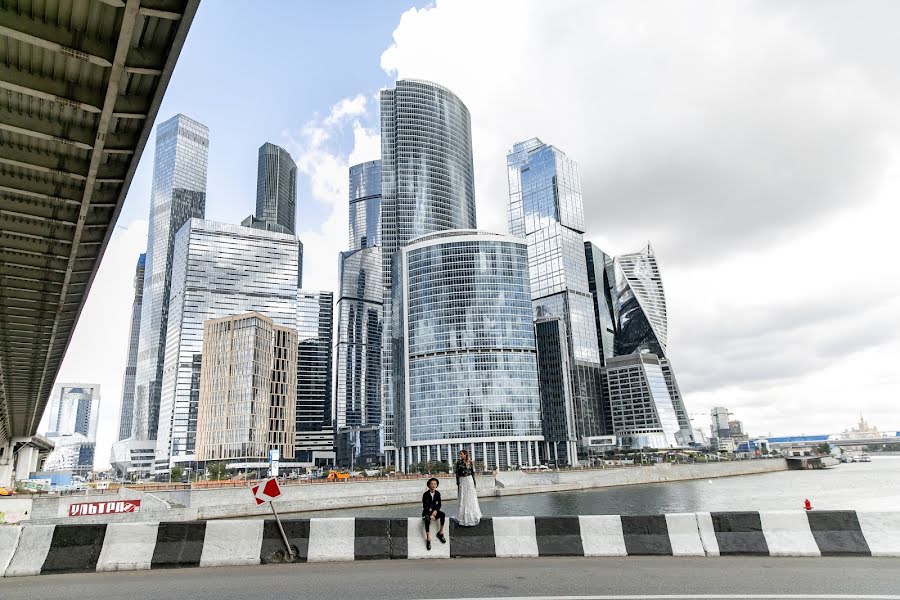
(427,185)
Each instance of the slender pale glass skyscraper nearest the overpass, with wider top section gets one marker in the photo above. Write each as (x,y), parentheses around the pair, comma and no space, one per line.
(178,194)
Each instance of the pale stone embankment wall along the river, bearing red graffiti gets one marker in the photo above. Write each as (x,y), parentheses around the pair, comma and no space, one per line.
(221,503)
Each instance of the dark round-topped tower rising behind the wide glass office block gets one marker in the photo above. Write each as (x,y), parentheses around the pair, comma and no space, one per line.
(276,189)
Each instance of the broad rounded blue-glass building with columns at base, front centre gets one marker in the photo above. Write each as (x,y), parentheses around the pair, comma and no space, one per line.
(465,365)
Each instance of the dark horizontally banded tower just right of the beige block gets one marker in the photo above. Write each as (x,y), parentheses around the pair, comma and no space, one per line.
(315,430)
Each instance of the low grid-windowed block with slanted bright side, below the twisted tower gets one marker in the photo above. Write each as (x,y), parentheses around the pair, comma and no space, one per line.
(642,411)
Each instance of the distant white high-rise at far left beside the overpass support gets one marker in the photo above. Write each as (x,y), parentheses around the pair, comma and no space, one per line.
(73,414)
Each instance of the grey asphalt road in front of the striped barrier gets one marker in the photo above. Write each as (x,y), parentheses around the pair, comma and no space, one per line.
(632,577)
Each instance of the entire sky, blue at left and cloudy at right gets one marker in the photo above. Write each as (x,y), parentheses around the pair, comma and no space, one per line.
(756,144)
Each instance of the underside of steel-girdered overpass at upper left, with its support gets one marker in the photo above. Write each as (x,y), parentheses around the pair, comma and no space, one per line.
(81,82)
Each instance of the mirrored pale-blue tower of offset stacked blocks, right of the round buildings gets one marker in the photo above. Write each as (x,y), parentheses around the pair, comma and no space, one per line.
(546,208)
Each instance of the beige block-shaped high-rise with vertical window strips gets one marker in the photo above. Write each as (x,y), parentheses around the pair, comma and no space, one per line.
(248,390)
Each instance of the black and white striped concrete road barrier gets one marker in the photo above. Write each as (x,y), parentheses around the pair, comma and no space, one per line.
(42,549)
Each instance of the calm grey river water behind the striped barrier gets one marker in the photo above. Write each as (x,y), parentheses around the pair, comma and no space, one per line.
(857,486)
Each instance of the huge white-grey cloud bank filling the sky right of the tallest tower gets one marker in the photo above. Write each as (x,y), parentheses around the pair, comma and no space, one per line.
(754,143)
